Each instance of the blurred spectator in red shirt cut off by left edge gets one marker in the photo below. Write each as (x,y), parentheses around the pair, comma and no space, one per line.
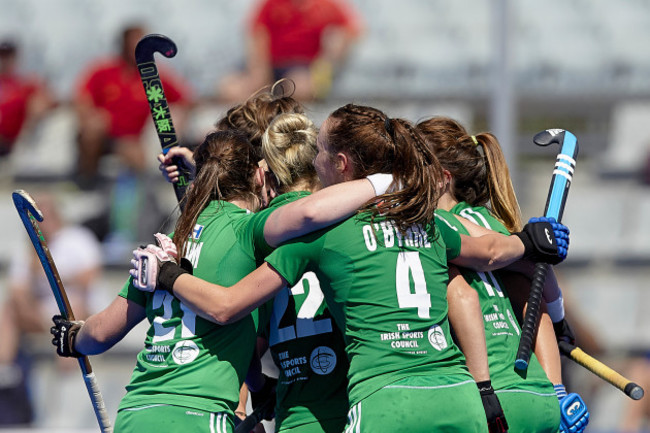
(23,98)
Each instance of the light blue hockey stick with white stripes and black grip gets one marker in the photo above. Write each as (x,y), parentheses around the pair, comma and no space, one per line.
(557,195)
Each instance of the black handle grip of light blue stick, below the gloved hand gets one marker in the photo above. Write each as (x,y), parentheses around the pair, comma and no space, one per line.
(532,316)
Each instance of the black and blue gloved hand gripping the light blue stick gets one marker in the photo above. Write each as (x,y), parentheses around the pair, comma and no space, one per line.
(545,240)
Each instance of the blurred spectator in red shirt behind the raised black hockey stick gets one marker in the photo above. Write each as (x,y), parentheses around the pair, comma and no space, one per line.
(113,110)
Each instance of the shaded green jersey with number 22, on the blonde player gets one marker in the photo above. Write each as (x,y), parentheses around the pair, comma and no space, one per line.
(304,342)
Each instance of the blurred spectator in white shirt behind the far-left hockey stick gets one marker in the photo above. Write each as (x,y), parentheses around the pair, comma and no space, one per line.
(30,304)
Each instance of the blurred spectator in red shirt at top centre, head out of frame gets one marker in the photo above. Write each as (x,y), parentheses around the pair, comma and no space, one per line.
(304,40)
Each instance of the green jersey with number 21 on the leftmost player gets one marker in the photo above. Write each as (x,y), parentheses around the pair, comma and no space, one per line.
(186,360)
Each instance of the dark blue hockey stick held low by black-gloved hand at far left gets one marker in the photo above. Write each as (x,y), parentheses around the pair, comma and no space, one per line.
(30,214)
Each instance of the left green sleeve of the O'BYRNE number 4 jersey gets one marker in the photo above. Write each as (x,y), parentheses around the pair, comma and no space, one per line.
(293,259)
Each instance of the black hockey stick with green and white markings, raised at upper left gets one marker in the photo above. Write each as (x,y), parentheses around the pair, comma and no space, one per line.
(158,105)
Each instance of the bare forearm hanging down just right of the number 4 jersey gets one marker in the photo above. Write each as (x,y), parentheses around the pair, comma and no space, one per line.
(466,318)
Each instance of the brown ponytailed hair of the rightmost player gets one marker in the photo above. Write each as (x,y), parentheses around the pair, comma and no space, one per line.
(480,179)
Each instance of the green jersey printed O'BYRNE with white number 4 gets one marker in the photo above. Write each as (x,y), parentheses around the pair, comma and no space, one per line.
(387,293)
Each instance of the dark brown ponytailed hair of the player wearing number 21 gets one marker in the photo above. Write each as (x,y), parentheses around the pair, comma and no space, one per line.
(225,169)
